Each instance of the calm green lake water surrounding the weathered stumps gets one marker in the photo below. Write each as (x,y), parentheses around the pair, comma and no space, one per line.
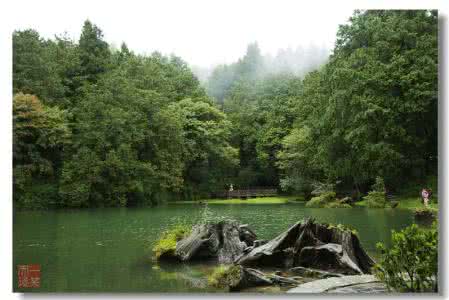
(109,250)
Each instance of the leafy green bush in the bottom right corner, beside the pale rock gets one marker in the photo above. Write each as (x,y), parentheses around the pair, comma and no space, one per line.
(411,264)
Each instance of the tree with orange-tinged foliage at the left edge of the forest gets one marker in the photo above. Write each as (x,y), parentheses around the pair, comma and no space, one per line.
(40,134)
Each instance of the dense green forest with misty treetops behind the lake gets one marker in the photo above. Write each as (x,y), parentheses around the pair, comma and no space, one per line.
(96,126)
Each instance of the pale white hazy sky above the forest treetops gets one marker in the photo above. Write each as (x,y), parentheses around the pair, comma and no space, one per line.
(201,32)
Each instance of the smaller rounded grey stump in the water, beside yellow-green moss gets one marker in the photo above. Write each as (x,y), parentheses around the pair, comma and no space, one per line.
(224,241)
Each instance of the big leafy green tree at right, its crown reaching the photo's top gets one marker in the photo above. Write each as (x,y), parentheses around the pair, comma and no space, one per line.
(372,110)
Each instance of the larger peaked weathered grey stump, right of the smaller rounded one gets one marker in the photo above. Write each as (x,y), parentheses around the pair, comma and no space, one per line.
(312,245)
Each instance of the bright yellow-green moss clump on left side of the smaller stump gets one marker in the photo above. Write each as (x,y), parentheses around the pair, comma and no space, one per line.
(166,245)
